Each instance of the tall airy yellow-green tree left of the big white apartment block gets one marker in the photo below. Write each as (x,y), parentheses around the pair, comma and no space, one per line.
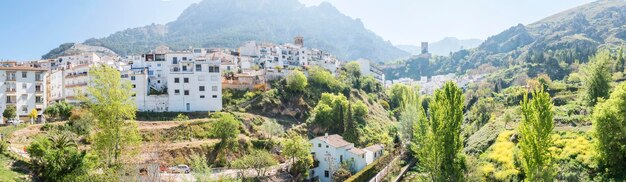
(109,99)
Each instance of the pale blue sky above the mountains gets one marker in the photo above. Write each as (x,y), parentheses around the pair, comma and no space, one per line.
(31,28)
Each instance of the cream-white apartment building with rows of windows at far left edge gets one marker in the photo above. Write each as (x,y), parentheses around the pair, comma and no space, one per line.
(23,87)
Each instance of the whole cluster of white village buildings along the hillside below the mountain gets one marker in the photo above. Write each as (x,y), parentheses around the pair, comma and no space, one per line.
(164,80)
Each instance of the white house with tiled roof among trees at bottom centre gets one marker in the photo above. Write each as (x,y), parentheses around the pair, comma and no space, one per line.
(330,151)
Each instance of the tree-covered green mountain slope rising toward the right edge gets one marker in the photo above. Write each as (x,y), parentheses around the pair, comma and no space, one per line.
(549,46)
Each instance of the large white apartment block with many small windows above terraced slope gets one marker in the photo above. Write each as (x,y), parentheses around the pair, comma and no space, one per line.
(176,81)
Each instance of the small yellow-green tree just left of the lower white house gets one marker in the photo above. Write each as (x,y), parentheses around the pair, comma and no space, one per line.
(297,149)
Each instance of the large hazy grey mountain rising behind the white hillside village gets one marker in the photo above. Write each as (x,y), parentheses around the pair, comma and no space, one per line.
(227,23)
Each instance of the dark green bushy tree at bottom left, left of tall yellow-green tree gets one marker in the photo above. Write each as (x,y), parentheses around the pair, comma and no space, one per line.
(56,158)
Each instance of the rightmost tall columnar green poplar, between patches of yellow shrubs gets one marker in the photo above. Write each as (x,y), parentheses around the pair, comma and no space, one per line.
(535,128)
